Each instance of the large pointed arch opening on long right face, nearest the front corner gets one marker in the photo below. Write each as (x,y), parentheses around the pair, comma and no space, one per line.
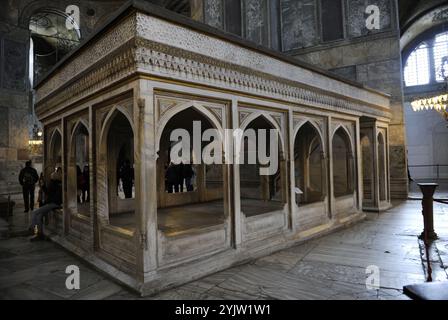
(191,190)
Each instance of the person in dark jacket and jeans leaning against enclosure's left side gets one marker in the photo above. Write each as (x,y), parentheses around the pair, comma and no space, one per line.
(53,201)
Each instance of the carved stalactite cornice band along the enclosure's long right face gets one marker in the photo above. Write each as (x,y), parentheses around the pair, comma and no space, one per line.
(155,58)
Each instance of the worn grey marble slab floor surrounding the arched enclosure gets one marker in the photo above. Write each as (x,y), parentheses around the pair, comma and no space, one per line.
(331,267)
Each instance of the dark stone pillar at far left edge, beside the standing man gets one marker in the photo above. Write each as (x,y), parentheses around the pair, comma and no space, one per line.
(14,103)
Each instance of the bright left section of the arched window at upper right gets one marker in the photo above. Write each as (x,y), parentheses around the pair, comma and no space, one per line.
(417,69)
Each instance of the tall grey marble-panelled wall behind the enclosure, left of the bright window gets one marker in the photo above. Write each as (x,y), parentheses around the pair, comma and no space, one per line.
(371,57)
